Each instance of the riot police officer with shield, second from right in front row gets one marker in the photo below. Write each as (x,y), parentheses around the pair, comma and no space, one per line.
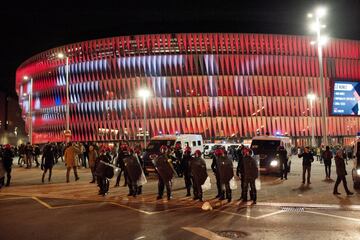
(226,173)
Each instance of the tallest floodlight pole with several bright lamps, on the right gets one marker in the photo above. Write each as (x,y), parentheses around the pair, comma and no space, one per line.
(320,41)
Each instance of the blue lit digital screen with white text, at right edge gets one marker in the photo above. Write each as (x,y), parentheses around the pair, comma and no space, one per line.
(346,99)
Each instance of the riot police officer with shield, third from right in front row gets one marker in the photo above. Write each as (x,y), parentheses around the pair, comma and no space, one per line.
(198,174)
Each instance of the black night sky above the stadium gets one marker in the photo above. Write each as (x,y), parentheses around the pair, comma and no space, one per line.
(30,29)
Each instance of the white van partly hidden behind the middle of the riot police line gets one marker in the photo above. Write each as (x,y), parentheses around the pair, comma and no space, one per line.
(194,141)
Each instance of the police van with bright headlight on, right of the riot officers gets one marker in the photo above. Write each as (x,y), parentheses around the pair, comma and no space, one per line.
(266,147)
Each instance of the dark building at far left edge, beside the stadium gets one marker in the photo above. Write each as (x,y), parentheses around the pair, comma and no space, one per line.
(12,126)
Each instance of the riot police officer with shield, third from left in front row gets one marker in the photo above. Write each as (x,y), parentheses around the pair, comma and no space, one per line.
(165,172)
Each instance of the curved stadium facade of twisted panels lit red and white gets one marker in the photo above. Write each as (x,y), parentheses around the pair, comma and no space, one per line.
(218,85)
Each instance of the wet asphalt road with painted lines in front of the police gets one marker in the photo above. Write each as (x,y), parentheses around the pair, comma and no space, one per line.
(285,210)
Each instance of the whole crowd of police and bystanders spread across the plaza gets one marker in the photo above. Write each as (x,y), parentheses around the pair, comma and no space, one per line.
(105,162)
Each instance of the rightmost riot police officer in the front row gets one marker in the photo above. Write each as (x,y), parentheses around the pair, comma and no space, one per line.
(251,173)
